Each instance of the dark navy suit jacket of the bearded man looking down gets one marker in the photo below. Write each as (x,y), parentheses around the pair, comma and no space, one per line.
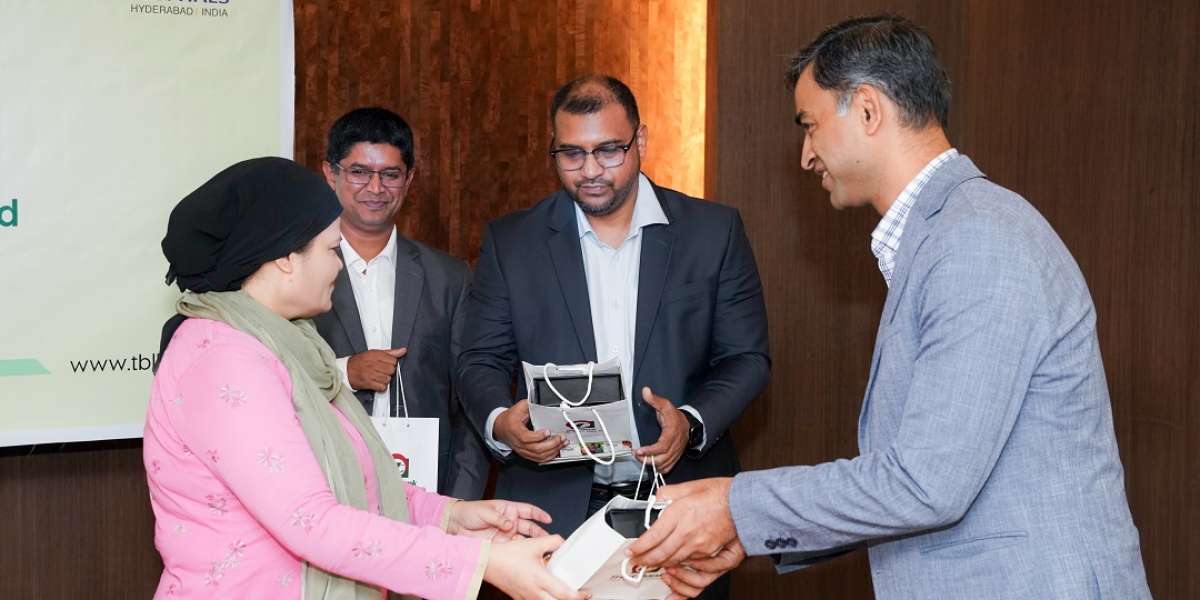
(700,340)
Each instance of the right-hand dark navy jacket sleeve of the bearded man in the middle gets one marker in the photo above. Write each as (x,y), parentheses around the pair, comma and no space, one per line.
(740,356)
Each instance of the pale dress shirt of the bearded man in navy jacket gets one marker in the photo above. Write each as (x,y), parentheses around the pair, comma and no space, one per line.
(613,275)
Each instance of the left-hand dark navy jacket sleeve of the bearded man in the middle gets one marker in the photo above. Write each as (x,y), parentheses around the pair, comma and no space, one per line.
(488,363)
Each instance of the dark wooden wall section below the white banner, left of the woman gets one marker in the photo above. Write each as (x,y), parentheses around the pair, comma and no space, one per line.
(77,523)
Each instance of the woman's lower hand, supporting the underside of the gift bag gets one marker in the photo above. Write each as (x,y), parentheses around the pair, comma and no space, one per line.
(519,569)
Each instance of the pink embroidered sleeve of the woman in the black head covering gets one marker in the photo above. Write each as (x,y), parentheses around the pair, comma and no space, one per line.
(237,416)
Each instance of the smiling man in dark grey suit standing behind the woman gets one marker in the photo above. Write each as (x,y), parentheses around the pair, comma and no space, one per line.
(398,299)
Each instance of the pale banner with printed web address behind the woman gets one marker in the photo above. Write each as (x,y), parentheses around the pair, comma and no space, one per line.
(111,112)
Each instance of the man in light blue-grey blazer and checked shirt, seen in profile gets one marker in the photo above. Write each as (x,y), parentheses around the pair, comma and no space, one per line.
(988,463)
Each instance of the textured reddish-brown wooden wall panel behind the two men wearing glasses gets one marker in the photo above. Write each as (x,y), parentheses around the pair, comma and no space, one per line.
(475,80)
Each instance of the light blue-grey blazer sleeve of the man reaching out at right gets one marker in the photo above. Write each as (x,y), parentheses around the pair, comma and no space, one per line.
(982,328)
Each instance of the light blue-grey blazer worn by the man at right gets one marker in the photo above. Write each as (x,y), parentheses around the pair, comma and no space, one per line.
(988,463)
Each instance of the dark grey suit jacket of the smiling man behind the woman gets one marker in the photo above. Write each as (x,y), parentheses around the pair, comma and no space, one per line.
(428,320)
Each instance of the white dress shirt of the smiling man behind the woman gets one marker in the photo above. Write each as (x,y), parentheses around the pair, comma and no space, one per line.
(375,293)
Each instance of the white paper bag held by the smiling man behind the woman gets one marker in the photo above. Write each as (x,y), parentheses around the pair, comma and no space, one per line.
(412,443)
